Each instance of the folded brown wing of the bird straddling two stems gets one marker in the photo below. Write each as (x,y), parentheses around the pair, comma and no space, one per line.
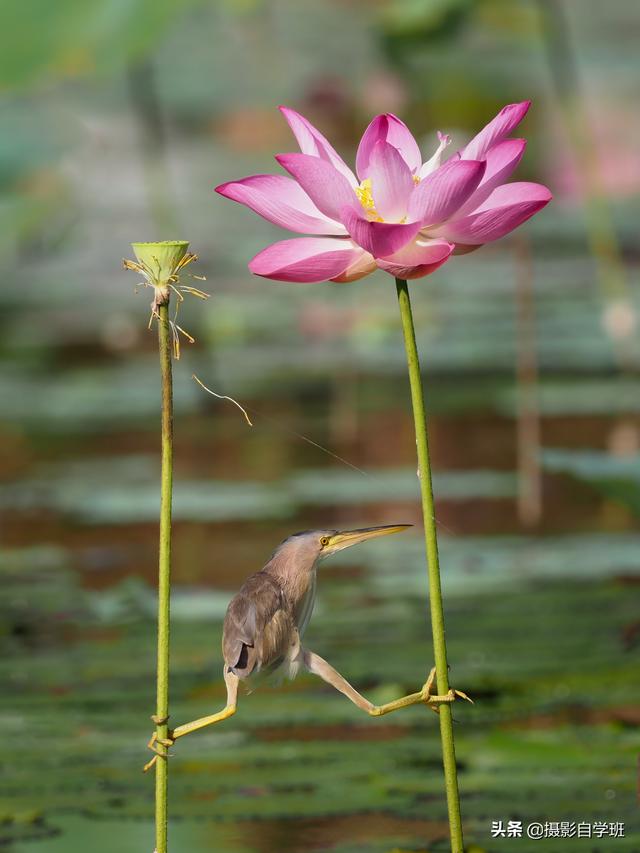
(257,626)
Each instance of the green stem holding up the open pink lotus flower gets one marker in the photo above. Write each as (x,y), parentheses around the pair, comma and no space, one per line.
(433,566)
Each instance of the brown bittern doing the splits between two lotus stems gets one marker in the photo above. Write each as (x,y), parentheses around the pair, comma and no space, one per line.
(265,624)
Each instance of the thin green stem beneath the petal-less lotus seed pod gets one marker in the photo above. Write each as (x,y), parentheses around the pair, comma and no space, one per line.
(164,575)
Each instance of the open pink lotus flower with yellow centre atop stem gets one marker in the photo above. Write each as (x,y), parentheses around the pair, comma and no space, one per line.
(399,215)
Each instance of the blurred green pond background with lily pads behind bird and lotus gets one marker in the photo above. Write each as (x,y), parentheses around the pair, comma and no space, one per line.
(118,118)
